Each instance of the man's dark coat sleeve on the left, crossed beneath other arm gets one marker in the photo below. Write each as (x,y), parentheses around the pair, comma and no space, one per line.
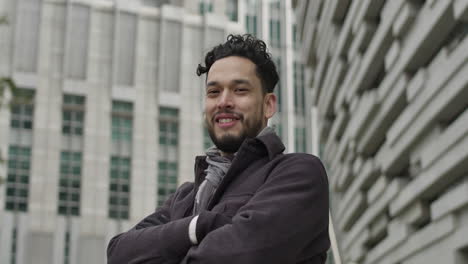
(157,239)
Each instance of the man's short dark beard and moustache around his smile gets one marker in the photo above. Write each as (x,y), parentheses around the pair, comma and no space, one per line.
(230,143)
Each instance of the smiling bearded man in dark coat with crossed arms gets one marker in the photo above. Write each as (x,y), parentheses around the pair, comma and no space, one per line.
(250,203)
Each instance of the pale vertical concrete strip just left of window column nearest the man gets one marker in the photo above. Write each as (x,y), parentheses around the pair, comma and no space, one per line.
(145,147)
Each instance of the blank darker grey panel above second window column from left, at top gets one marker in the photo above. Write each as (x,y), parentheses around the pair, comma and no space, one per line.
(77,50)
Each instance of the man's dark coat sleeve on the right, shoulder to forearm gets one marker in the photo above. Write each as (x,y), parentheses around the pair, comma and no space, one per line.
(284,222)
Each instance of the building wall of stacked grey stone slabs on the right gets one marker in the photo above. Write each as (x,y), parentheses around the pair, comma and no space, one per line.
(389,87)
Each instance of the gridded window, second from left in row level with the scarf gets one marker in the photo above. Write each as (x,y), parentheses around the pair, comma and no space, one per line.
(69,183)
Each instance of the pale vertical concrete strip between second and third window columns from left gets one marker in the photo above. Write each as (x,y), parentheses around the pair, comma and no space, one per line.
(96,147)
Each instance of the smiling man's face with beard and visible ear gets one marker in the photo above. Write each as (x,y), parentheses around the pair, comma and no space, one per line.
(236,107)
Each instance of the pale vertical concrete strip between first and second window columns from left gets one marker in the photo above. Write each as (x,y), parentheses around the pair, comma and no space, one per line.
(47,119)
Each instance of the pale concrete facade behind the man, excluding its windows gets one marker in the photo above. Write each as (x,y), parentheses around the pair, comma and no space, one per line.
(152,67)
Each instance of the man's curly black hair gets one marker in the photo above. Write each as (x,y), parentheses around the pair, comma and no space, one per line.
(249,47)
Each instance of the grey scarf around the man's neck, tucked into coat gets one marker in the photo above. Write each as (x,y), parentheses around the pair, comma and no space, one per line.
(217,168)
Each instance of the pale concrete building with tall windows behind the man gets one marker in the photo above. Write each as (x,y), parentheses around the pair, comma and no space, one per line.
(109,114)
